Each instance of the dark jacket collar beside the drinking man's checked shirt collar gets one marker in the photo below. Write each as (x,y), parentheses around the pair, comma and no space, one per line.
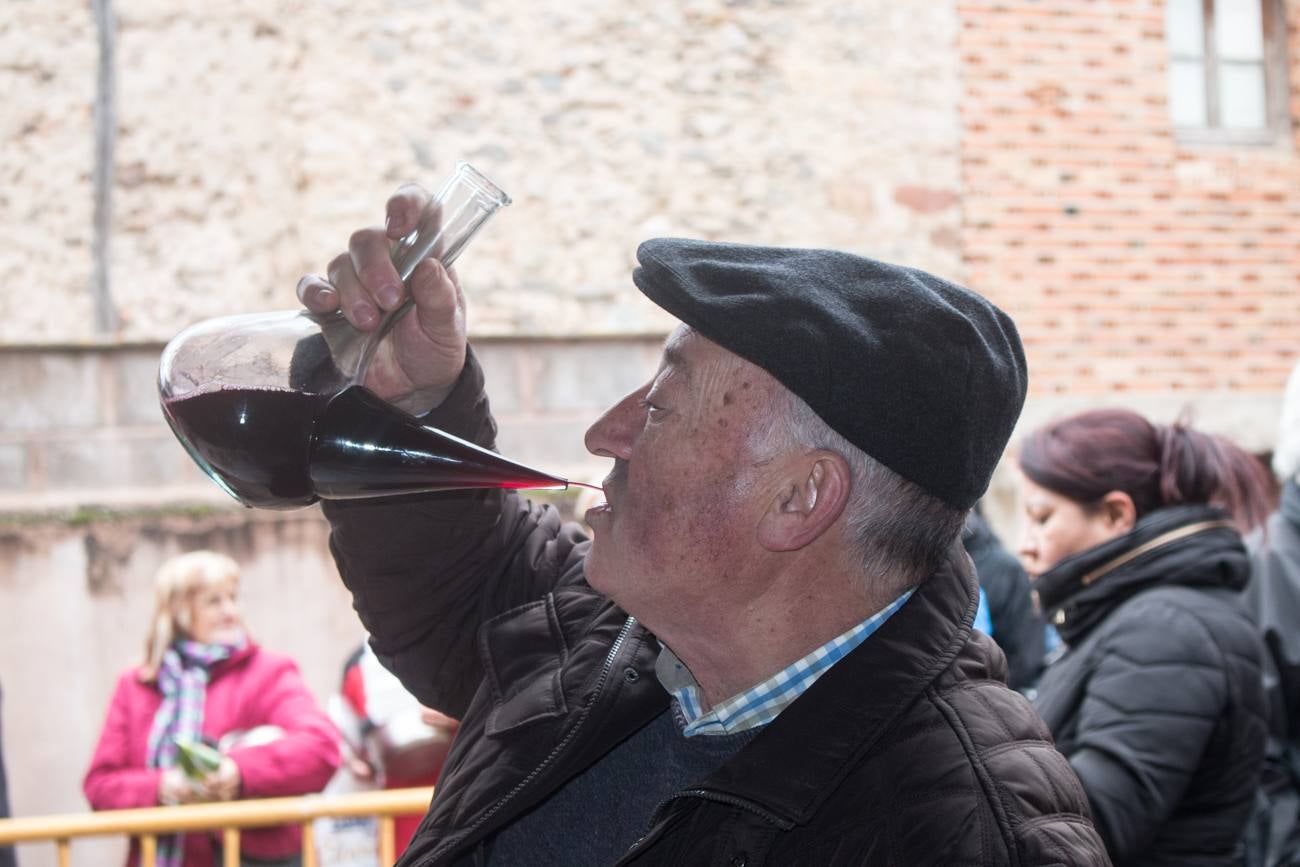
(820,739)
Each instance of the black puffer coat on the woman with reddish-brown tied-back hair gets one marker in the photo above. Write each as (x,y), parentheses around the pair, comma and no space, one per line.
(1159,701)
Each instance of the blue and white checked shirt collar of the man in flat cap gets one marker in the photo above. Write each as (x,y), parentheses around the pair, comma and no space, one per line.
(762,703)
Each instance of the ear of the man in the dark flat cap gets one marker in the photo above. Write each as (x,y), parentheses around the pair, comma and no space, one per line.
(809,502)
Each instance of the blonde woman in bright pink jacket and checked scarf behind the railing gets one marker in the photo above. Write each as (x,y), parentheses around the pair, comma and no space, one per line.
(205,680)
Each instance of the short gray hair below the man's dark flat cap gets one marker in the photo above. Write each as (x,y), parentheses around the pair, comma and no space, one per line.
(902,534)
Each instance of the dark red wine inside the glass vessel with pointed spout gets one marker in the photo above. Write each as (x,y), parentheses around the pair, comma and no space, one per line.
(281,449)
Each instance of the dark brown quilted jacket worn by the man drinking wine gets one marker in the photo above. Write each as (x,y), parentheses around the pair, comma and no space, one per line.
(909,752)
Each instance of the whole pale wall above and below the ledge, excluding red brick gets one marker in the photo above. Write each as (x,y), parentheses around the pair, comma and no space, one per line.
(252,138)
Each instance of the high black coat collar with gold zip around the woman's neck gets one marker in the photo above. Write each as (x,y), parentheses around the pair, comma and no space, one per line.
(1175,547)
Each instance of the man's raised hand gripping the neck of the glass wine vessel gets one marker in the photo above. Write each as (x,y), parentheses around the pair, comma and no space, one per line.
(419,366)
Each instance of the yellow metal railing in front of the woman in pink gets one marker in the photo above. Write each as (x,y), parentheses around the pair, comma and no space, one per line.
(228,817)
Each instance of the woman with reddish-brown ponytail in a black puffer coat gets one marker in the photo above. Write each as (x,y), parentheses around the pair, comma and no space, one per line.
(1133,537)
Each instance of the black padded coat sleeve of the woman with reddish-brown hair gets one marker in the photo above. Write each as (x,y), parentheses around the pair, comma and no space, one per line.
(1150,708)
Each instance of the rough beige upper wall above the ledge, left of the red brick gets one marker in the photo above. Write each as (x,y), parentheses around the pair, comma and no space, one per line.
(252,137)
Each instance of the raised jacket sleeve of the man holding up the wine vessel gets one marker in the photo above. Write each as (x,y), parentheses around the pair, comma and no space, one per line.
(427,571)
